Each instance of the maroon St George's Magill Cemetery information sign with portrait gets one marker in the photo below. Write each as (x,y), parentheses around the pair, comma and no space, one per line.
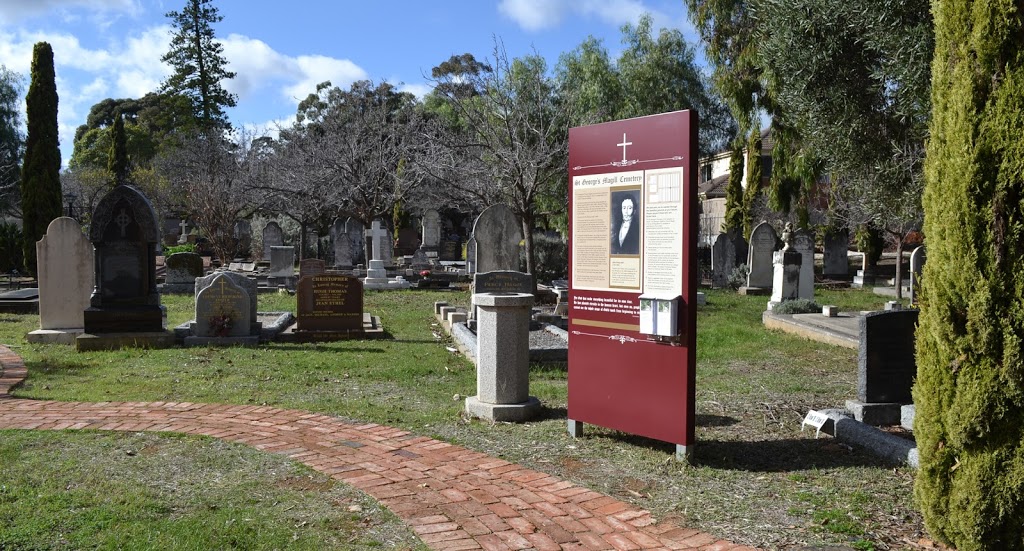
(633,277)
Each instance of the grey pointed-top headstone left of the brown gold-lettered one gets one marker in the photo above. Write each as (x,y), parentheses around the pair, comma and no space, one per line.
(223,310)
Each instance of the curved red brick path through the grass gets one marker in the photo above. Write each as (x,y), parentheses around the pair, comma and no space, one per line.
(453,498)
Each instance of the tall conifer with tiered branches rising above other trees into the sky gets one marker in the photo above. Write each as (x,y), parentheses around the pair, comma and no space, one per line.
(199,64)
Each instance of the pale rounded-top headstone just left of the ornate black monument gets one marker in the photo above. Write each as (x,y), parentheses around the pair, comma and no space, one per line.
(65,272)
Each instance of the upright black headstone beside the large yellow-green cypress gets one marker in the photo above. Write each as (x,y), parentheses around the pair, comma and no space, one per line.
(886,364)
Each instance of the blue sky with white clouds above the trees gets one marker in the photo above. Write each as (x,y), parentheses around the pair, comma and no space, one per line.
(282,50)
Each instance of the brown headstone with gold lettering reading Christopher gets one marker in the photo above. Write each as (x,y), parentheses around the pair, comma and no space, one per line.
(329,303)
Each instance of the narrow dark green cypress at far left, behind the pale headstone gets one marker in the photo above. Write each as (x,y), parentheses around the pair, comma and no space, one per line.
(41,169)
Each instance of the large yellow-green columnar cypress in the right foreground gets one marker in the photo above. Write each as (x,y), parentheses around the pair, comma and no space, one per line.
(970,388)
